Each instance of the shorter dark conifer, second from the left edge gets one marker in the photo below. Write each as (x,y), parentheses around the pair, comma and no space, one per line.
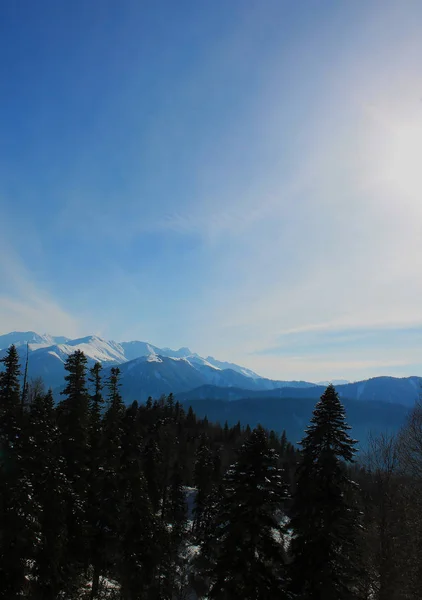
(45,467)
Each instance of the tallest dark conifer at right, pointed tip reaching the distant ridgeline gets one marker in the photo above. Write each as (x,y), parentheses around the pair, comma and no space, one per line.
(325,519)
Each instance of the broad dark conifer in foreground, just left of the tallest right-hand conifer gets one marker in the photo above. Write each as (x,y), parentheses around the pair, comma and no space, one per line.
(246,559)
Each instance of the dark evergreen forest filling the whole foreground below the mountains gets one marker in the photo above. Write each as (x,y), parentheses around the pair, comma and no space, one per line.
(103,500)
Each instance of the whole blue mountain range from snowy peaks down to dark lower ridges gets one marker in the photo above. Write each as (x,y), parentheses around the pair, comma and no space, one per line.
(221,390)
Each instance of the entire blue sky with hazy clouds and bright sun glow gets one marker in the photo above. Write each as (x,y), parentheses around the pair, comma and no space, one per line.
(243,178)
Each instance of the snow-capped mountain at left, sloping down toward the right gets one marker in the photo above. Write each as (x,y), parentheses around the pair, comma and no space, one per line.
(176,370)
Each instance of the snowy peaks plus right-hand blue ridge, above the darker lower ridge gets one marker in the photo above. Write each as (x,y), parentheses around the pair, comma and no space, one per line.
(147,370)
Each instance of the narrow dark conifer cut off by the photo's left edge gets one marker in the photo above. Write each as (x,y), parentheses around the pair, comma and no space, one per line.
(15,490)
